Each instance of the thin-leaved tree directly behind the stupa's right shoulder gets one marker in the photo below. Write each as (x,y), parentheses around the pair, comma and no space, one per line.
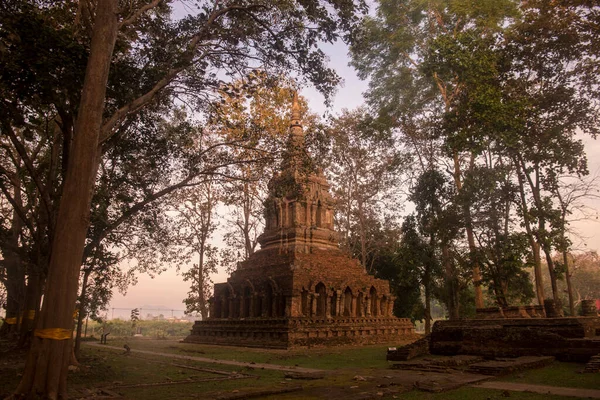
(365,170)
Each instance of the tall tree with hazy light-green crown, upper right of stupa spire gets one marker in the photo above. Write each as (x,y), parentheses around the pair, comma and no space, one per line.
(419,56)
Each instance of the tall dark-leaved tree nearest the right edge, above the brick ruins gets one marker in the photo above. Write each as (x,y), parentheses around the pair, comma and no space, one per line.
(547,80)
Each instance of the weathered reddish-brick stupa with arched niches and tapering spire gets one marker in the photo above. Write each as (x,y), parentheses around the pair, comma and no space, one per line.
(299,289)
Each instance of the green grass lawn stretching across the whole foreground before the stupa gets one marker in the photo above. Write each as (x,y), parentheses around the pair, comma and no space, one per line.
(145,376)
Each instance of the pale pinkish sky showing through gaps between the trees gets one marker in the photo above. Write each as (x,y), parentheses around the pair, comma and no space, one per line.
(168,290)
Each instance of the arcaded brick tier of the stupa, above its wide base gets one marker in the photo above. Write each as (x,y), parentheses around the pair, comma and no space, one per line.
(268,274)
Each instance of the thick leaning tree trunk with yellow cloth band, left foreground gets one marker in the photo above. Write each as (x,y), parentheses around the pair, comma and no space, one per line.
(47,363)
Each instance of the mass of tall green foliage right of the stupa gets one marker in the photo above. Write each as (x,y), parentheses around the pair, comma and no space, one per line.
(497,89)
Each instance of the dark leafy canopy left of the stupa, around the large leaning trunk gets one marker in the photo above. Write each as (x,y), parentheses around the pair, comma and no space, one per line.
(147,149)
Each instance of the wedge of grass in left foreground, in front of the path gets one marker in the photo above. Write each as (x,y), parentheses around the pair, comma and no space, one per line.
(113,371)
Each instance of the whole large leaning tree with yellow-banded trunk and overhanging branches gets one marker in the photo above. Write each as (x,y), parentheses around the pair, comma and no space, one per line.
(278,35)
